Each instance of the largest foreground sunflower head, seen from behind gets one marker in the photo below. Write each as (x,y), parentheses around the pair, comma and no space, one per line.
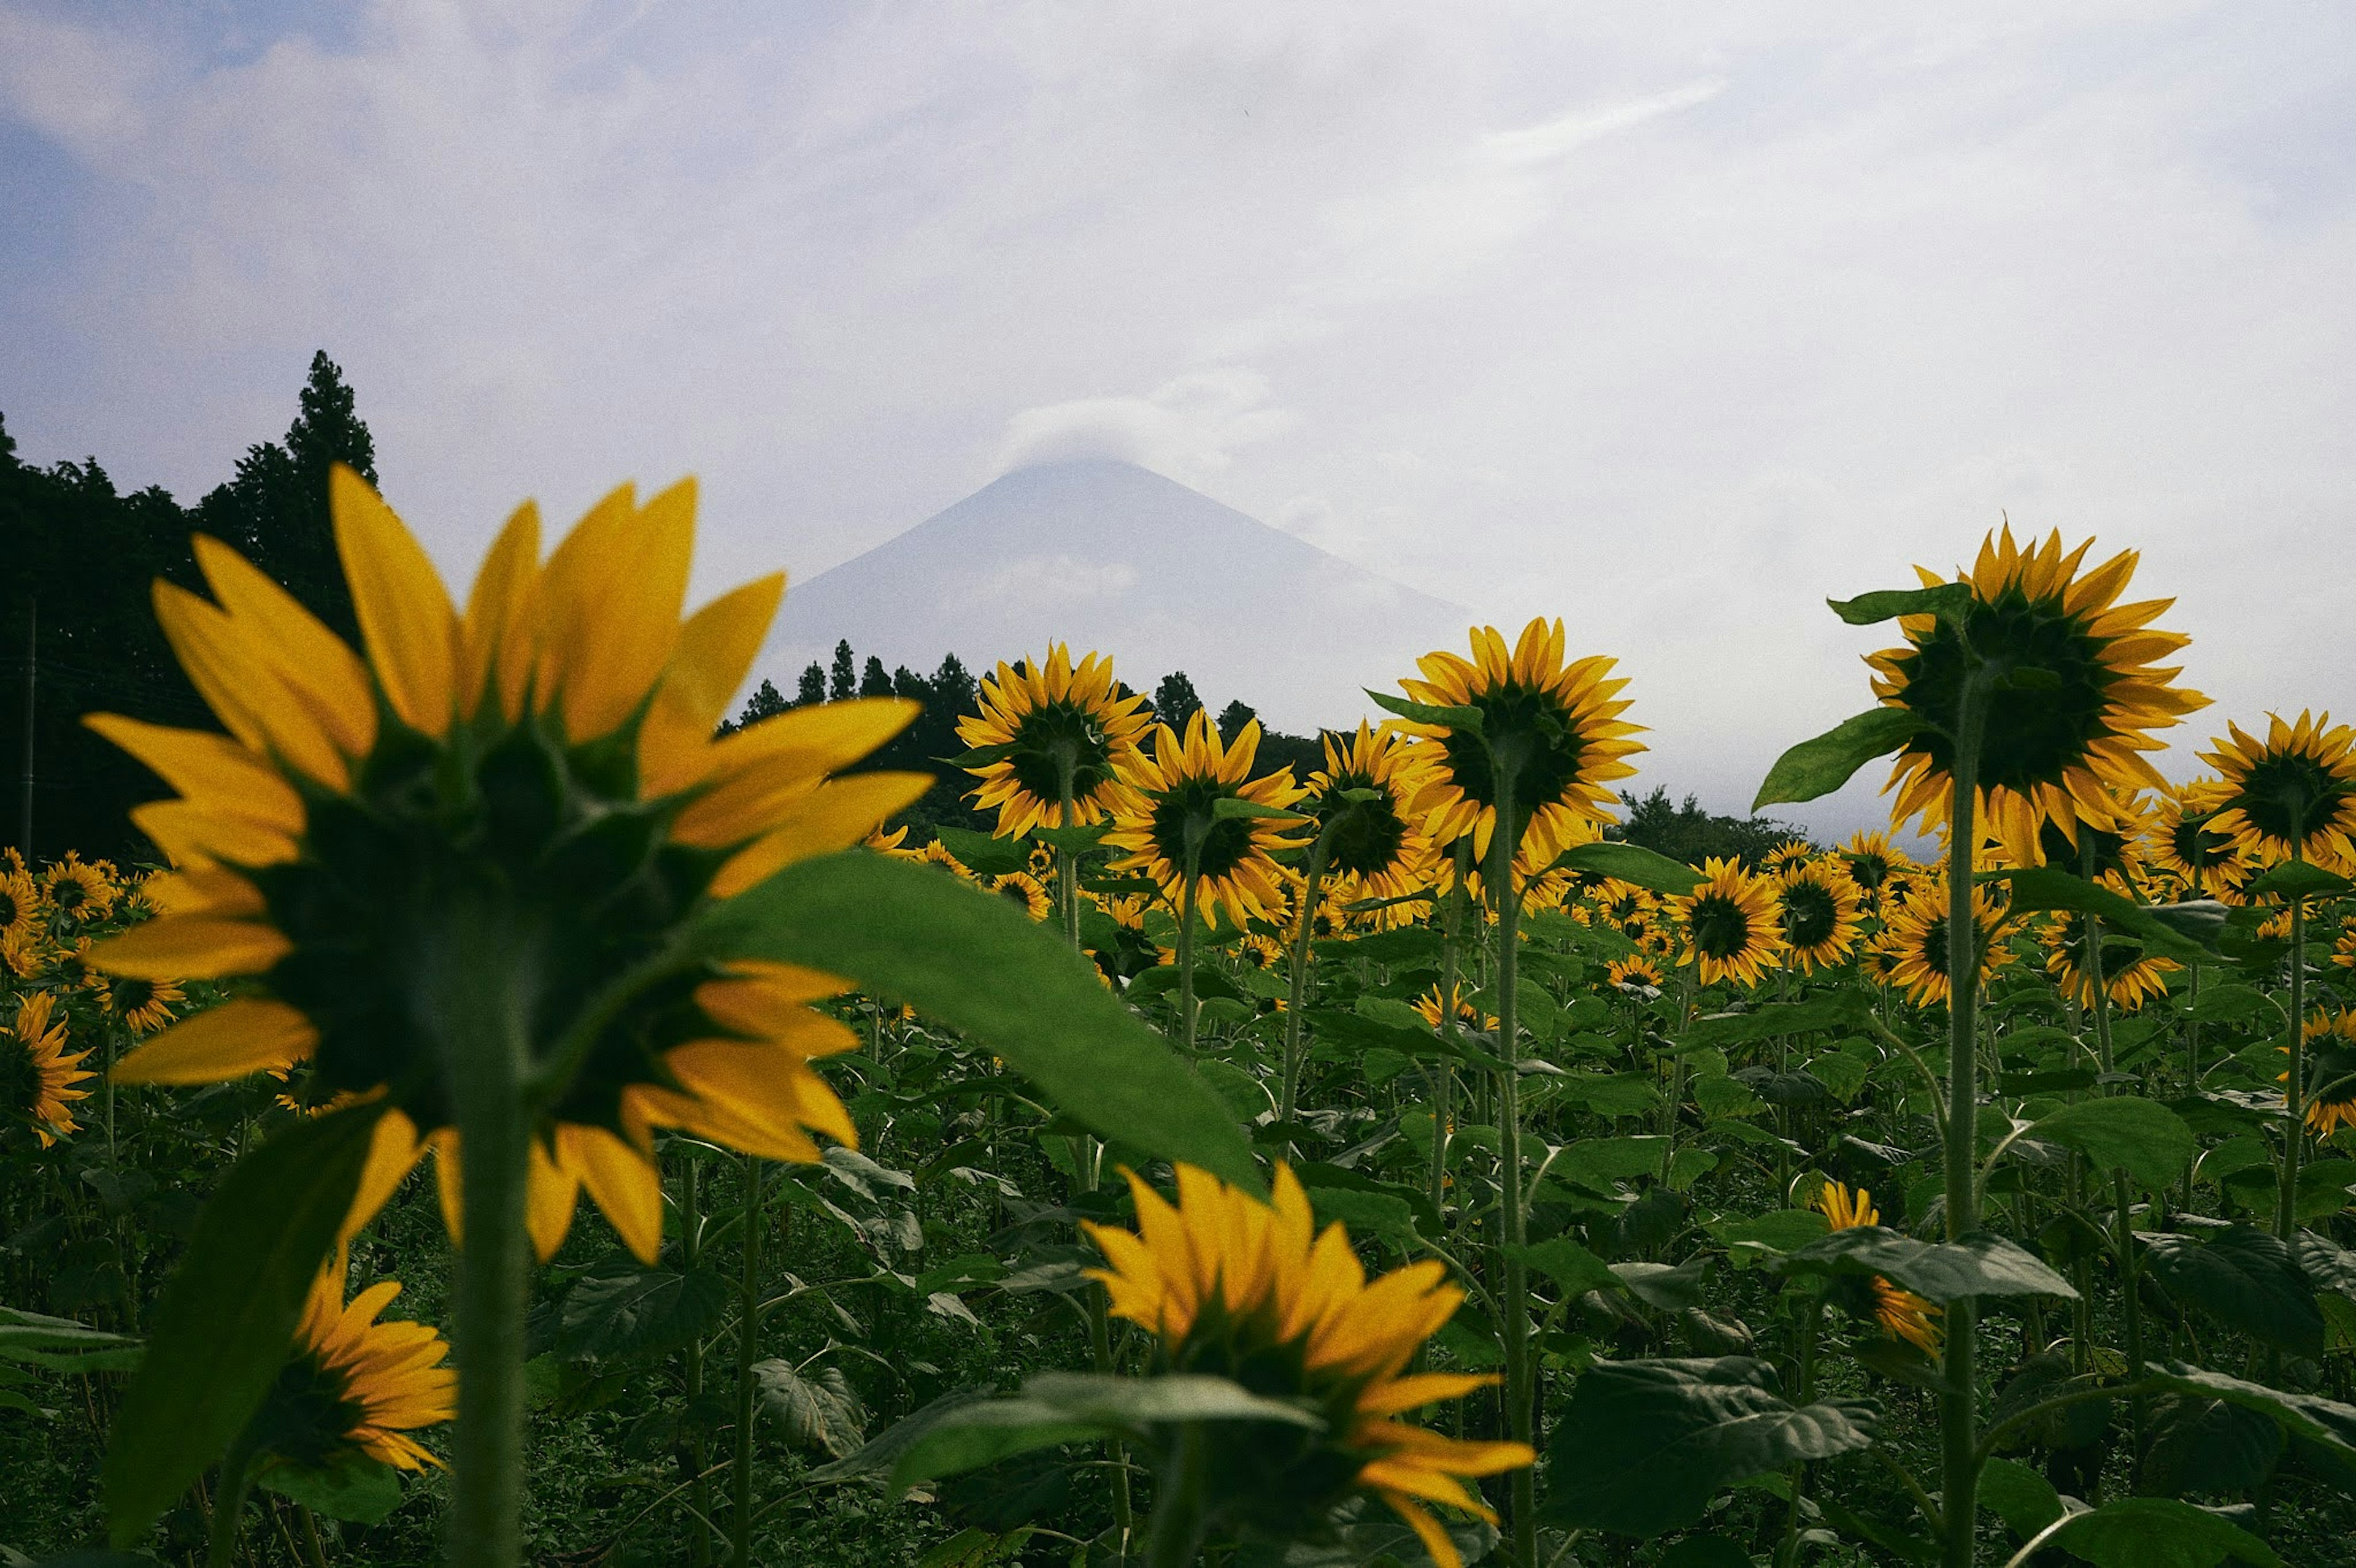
(541,769)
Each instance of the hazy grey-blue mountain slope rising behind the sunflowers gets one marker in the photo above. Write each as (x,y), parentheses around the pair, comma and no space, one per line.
(1113,557)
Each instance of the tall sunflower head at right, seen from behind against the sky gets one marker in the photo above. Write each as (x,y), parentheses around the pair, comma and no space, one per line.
(2074,698)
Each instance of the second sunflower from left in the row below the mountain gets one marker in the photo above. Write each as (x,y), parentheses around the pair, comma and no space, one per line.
(1167,820)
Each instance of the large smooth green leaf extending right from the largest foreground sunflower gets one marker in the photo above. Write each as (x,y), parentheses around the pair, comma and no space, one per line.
(984,969)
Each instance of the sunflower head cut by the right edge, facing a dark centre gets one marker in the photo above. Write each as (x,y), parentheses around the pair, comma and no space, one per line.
(2291,795)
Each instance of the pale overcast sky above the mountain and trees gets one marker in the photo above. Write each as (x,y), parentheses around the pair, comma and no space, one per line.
(1662,319)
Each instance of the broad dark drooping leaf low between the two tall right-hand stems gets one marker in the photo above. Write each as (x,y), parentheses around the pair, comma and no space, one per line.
(1646,1444)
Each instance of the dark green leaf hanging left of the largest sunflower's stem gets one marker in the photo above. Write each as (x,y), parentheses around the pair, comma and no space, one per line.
(230,1313)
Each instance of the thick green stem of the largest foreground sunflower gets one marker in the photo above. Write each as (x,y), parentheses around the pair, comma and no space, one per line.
(475,985)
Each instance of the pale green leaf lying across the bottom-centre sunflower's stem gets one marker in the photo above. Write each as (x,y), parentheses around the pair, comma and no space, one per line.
(1073,1409)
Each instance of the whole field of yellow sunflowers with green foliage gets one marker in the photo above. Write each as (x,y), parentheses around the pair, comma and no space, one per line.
(1212,1164)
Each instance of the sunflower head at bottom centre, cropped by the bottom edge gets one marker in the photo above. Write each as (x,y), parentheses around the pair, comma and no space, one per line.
(1252,1291)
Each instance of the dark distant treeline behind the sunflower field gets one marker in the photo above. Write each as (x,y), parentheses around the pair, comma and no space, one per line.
(79,637)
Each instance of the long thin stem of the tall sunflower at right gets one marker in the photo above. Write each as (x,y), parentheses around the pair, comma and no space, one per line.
(1959,1402)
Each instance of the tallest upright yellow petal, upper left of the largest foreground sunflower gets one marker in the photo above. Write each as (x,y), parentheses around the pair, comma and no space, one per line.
(404,611)
